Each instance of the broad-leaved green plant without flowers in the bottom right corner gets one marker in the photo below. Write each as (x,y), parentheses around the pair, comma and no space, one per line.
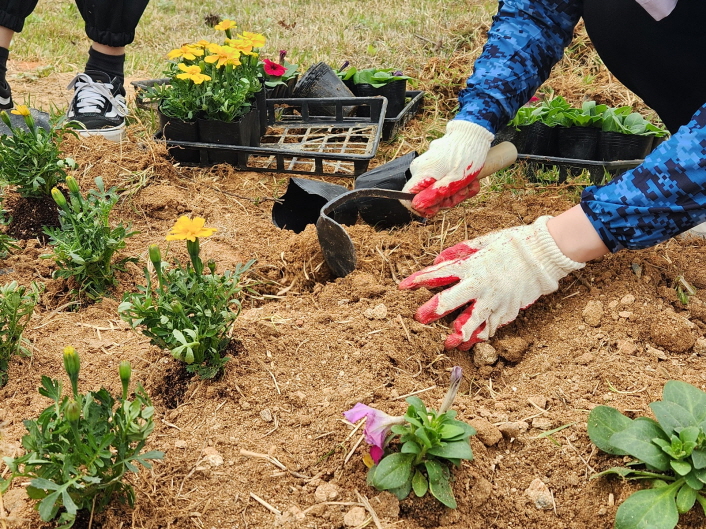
(670,453)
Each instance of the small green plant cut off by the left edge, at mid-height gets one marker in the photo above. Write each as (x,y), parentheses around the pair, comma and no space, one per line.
(16,307)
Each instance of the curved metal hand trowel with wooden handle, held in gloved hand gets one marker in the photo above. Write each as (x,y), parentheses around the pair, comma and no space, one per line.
(336,244)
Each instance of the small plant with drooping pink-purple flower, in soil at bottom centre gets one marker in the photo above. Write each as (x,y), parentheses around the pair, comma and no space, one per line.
(429,442)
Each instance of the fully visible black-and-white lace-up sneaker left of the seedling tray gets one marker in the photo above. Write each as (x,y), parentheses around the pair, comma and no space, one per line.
(99,105)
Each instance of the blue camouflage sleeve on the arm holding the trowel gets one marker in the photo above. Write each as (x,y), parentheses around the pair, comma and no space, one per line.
(526,39)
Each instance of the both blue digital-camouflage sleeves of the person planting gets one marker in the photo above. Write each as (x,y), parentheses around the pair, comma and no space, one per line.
(664,196)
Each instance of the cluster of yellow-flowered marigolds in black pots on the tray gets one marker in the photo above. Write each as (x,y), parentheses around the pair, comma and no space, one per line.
(212,91)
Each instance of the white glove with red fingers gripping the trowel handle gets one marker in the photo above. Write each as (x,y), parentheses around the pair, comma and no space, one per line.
(446,174)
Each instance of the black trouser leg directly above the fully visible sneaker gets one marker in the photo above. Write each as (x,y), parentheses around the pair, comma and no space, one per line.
(111,22)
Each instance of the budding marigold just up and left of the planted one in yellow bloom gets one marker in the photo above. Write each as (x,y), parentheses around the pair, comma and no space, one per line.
(85,244)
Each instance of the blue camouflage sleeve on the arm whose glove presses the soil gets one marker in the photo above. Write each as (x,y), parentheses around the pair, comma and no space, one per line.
(661,198)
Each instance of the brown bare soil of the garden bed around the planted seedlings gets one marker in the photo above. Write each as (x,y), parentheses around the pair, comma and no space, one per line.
(310,347)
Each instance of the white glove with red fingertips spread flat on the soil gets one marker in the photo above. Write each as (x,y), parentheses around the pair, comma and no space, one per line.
(498,274)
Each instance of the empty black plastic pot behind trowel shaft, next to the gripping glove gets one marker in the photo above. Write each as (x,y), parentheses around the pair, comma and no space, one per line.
(382,213)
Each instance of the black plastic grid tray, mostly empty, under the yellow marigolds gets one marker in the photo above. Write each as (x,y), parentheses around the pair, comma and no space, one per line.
(297,142)
